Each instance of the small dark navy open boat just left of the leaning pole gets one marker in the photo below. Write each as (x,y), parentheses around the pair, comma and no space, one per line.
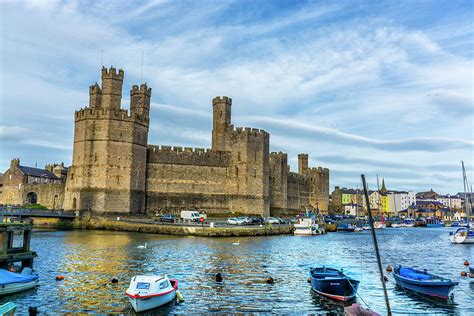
(333,283)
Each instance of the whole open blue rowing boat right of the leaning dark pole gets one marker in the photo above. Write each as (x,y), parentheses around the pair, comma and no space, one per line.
(423,282)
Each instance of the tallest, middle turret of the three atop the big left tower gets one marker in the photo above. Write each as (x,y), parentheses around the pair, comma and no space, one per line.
(112,87)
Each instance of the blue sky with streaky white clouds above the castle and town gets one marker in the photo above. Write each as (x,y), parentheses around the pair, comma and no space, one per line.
(361,86)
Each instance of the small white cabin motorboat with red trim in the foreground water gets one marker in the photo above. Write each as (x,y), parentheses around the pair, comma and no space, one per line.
(148,291)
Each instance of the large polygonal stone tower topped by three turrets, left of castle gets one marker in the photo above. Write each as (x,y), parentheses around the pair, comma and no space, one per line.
(108,171)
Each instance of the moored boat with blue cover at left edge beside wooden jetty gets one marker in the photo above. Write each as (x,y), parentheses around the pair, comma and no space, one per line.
(12,282)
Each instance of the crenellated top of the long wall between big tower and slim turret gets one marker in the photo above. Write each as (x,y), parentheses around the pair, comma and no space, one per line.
(187,156)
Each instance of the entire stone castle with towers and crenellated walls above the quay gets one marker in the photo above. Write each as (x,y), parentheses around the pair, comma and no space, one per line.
(115,170)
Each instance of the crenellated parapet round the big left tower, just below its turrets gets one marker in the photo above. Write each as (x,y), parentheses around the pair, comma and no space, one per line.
(110,114)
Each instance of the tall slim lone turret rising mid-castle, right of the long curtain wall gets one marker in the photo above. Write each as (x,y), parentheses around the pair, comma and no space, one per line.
(221,127)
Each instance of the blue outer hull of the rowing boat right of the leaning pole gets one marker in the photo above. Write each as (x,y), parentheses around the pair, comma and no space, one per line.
(439,289)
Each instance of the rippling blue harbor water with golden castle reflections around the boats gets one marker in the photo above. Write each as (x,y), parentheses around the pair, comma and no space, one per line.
(88,260)
